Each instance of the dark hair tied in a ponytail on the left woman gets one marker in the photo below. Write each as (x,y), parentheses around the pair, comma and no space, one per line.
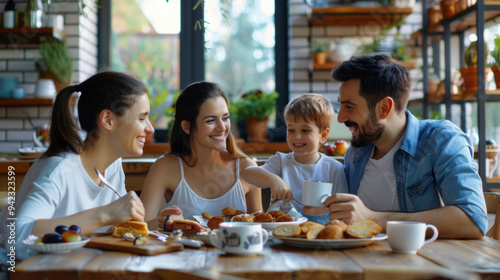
(106,90)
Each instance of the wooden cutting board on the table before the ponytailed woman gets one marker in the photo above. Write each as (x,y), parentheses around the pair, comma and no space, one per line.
(152,247)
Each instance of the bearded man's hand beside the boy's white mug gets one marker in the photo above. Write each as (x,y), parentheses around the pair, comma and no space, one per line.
(347,208)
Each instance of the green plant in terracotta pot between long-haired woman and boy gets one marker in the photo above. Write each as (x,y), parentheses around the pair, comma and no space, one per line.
(255,107)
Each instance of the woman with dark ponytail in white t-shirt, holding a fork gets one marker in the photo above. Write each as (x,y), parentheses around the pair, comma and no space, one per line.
(62,187)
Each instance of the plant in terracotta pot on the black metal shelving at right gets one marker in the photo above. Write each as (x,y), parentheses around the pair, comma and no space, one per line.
(469,73)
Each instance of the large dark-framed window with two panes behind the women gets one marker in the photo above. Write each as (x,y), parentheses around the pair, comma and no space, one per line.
(247,55)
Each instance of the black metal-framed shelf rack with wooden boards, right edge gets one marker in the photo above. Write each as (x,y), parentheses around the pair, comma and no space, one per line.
(473,18)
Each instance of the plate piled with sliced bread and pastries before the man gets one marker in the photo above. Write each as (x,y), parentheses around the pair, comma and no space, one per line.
(333,235)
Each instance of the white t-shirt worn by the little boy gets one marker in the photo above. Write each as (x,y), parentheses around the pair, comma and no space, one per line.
(294,173)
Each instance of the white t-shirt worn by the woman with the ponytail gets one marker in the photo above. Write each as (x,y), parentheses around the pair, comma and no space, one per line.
(56,187)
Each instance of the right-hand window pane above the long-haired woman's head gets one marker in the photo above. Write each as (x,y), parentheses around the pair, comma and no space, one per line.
(240,40)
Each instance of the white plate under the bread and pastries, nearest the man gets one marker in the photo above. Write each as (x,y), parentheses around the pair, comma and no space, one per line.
(329,243)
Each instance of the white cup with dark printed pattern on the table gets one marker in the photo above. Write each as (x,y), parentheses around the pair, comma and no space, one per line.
(239,238)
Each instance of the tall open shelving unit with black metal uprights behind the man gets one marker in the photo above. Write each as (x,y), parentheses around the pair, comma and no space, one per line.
(474,17)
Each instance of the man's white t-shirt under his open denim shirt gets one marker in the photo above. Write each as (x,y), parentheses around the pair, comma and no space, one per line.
(377,188)
